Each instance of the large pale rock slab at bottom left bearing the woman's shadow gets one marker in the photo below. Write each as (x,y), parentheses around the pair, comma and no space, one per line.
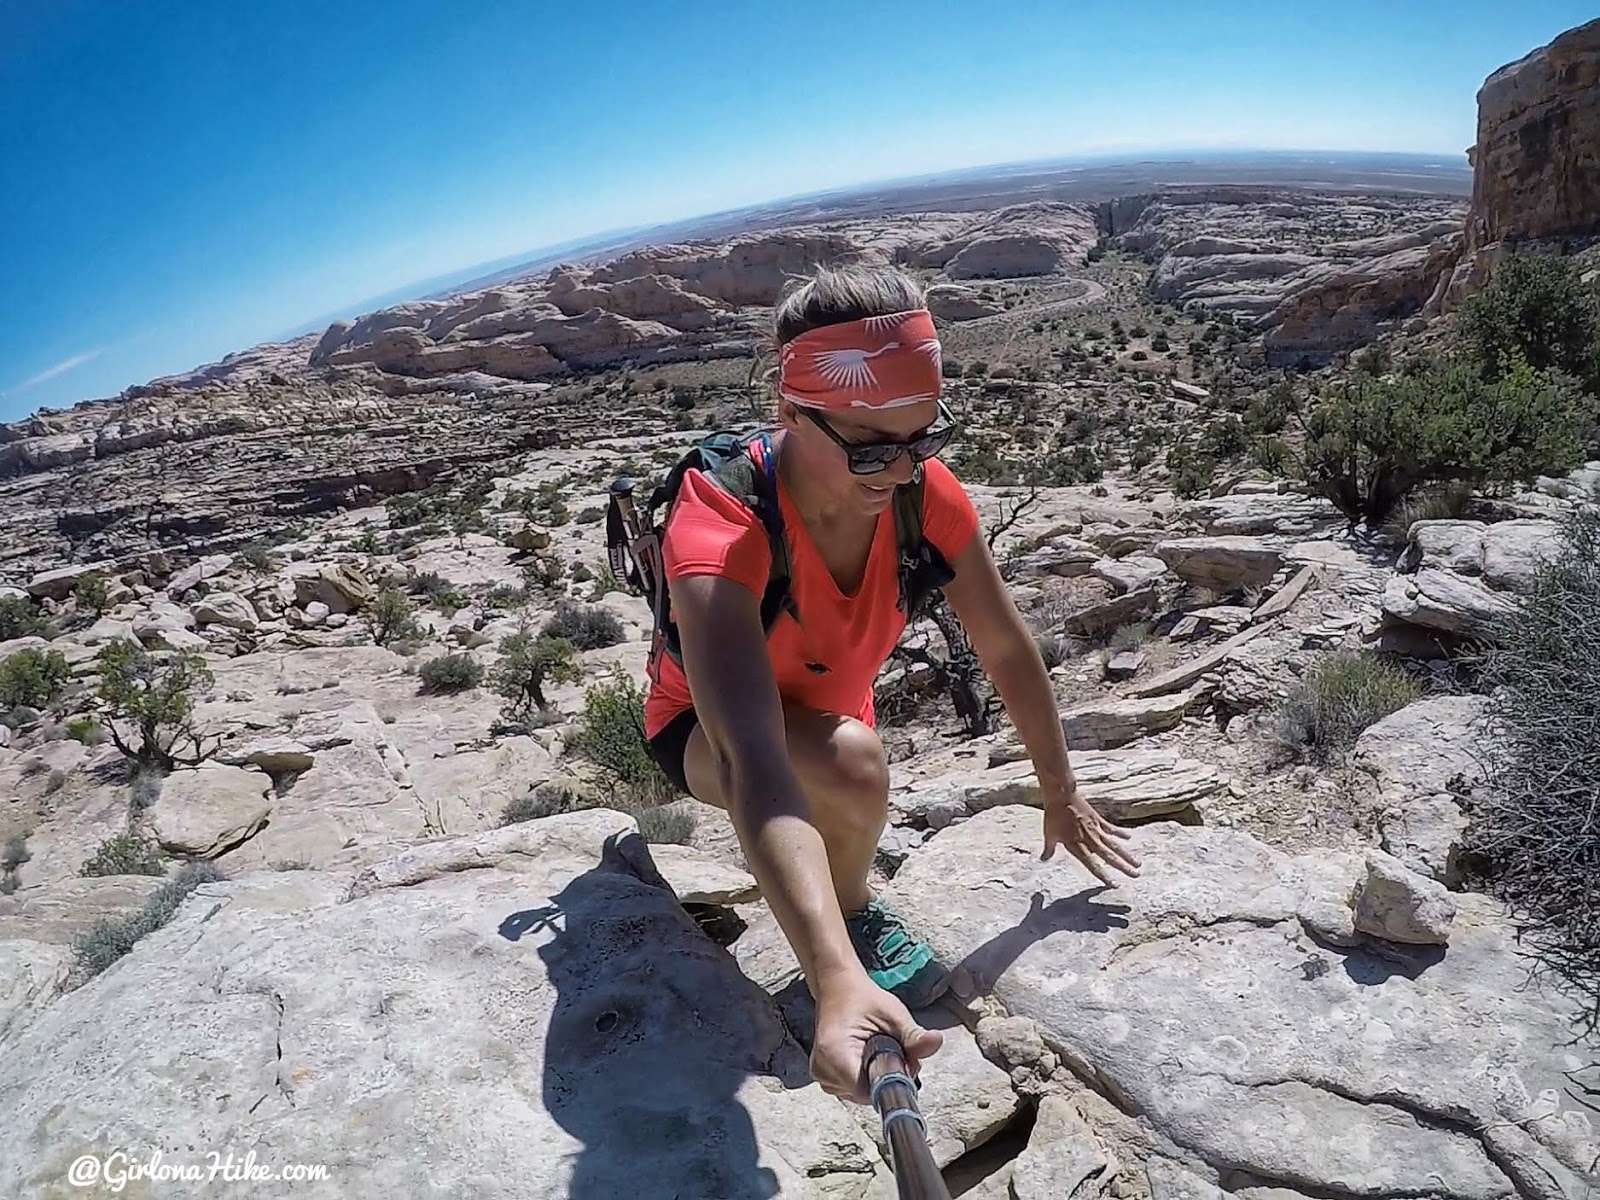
(490,1017)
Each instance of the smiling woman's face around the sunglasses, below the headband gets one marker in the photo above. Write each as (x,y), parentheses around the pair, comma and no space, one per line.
(825,462)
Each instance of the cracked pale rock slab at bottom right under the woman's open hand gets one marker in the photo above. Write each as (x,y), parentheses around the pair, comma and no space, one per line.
(1198,1001)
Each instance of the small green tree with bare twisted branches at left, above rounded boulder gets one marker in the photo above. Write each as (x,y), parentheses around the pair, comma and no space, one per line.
(146,705)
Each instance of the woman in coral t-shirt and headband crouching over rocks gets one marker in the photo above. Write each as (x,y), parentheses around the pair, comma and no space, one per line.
(775,722)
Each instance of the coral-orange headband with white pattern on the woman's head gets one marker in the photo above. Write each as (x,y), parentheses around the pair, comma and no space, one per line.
(881,362)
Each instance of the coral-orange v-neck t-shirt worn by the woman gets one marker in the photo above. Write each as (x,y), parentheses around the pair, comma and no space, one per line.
(714,534)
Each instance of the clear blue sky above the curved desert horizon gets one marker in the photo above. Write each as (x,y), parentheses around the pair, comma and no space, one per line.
(185,180)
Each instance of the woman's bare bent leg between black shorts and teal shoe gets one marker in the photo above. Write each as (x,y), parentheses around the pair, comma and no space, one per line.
(846,778)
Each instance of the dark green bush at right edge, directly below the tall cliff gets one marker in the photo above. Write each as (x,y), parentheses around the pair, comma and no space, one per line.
(1537,310)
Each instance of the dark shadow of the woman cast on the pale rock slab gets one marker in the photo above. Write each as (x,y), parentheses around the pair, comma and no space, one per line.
(652,1036)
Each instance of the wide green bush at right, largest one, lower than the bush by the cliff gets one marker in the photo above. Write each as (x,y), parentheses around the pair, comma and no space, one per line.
(1374,442)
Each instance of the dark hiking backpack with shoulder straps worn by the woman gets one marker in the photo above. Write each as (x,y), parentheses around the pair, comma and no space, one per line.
(743,465)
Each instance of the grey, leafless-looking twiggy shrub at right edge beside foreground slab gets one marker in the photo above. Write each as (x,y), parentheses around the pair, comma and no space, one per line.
(1534,823)
